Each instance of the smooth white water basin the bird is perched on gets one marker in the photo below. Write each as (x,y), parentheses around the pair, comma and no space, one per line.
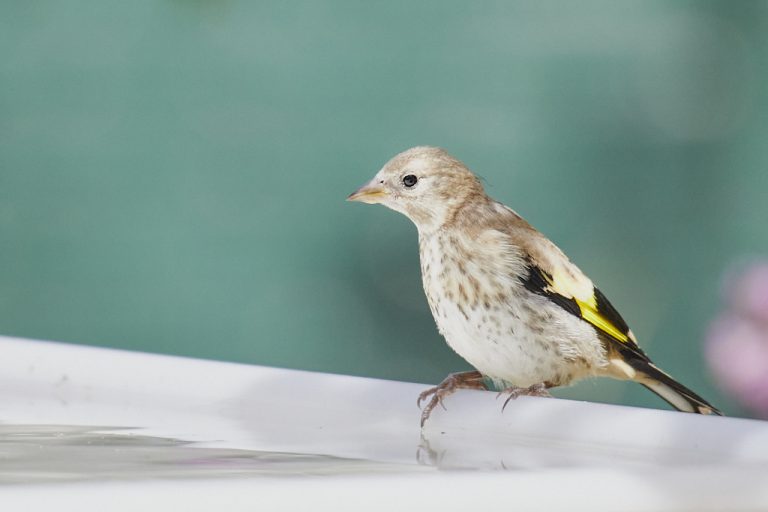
(94,428)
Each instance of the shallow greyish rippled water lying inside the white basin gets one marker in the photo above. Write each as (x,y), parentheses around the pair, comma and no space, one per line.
(59,453)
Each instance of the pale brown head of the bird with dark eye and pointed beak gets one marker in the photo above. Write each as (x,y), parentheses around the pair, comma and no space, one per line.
(424,183)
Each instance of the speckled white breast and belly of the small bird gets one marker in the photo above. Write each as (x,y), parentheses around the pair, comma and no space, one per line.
(506,332)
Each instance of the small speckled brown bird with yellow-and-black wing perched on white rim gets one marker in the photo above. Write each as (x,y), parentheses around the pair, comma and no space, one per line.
(506,298)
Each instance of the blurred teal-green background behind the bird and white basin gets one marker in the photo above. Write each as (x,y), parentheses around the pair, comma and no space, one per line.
(173,173)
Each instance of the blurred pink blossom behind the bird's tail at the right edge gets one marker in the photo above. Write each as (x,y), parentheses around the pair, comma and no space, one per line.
(737,342)
